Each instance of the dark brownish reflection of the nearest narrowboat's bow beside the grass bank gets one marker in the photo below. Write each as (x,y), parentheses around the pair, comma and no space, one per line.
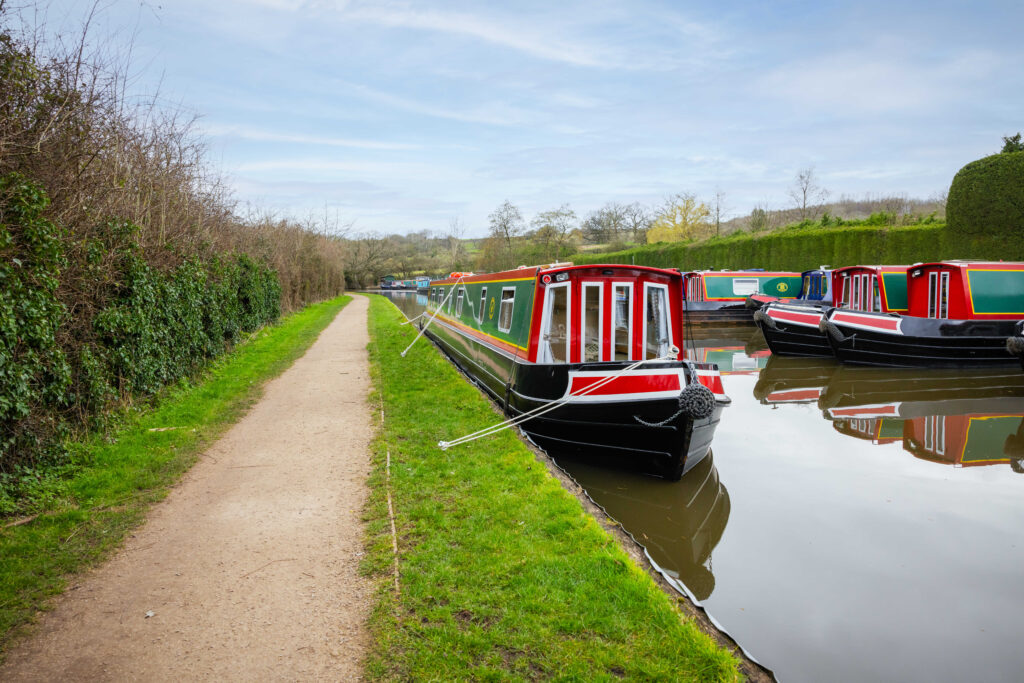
(679,524)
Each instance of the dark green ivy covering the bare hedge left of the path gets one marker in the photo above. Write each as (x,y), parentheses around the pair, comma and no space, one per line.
(82,333)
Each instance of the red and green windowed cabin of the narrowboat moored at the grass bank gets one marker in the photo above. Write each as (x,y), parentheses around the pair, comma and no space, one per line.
(567,314)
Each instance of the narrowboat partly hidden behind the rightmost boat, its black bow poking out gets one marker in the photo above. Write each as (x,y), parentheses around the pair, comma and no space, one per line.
(795,328)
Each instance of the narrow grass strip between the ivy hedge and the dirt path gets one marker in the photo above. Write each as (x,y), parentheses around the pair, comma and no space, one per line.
(119,476)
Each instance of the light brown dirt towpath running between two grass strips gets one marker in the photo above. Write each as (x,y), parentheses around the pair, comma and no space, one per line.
(250,566)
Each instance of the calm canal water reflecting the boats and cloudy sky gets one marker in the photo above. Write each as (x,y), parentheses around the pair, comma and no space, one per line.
(851,524)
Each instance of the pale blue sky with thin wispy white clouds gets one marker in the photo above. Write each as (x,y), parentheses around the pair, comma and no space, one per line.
(399,117)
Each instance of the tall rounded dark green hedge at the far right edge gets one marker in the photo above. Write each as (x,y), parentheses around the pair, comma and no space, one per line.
(987,199)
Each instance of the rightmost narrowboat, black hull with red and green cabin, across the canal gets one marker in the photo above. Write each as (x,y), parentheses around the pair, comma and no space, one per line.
(958,315)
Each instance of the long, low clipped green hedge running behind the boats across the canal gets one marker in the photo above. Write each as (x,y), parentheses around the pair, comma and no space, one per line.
(809,245)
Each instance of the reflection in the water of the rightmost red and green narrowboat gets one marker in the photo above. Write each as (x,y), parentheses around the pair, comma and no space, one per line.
(963,419)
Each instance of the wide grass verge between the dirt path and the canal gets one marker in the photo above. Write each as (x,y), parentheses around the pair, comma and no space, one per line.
(504,577)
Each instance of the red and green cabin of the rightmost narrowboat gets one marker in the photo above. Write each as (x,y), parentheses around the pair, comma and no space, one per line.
(967,290)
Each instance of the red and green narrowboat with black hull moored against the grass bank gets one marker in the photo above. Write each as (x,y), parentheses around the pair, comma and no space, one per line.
(571,338)
